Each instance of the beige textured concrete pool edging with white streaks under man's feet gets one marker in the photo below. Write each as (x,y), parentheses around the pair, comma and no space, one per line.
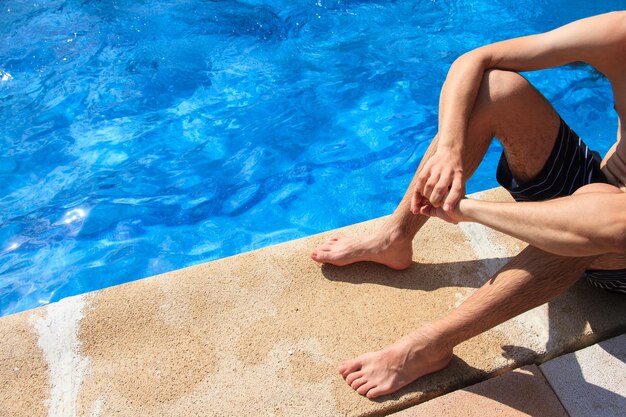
(261,333)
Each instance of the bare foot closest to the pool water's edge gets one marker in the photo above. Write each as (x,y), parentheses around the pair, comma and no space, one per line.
(340,251)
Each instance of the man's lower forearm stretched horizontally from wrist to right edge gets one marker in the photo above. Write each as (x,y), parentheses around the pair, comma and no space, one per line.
(577,225)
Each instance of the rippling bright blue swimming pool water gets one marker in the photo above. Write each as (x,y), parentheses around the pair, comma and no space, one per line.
(139,137)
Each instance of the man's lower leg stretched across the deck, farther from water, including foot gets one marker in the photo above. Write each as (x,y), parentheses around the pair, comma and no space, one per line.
(529,280)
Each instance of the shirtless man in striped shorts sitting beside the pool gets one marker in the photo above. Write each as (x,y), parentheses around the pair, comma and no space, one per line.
(571,206)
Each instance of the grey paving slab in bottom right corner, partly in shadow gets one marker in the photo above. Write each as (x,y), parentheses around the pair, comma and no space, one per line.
(592,381)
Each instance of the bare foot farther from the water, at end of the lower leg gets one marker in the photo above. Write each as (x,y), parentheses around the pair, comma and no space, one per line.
(379,373)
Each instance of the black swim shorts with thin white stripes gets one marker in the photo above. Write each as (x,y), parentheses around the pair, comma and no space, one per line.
(571,165)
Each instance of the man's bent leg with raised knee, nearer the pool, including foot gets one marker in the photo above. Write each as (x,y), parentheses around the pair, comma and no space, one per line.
(507,107)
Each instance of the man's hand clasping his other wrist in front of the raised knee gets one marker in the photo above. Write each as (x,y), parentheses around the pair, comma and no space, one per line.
(440,182)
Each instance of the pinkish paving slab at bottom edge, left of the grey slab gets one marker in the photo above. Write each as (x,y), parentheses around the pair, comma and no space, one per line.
(523,392)
